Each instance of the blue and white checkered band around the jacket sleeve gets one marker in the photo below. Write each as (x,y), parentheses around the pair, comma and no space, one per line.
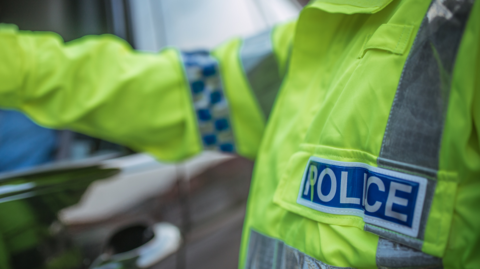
(210,103)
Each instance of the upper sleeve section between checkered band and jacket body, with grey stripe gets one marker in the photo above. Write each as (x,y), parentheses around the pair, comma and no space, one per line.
(252,71)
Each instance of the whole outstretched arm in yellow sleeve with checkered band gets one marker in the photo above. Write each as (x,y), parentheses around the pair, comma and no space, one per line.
(170,104)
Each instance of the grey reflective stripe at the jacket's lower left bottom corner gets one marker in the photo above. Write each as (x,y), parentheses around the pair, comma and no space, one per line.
(269,253)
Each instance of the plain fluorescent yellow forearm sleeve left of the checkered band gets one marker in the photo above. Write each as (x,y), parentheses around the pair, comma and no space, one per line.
(99,86)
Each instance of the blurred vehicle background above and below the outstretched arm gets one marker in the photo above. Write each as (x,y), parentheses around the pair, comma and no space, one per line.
(72,201)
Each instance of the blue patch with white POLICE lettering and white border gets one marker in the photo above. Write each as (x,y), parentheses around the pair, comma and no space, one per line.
(381,197)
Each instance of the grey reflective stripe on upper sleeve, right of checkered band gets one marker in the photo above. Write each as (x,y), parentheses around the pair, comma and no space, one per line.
(261,69)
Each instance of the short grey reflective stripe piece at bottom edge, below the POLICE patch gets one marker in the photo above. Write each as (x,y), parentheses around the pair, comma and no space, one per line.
(393,255)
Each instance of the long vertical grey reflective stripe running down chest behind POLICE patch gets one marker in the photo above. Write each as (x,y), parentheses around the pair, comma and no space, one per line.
(412,139)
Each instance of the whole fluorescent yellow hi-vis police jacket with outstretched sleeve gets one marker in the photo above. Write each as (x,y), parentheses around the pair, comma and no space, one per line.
(364,119)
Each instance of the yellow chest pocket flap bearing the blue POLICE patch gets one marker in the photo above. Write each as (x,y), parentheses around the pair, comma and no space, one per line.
(346,188)
